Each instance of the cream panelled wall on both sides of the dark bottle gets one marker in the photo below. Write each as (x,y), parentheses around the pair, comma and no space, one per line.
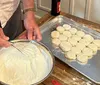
(88,9)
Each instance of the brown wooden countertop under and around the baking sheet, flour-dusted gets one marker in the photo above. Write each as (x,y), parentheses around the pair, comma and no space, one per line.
(62,72)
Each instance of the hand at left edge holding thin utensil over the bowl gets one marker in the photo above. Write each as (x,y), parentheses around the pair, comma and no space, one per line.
(3,39)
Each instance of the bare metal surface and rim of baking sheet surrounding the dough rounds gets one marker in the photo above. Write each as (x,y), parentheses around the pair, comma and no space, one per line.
(92,69)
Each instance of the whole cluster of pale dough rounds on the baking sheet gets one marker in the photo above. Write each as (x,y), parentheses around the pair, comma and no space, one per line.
(75,44)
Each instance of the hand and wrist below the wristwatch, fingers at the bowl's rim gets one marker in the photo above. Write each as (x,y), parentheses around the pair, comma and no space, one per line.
(32,29)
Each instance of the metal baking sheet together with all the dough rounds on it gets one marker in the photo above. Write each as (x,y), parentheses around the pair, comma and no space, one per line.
(74,44)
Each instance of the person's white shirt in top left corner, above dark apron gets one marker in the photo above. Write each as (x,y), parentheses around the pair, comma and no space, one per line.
(7,8)
